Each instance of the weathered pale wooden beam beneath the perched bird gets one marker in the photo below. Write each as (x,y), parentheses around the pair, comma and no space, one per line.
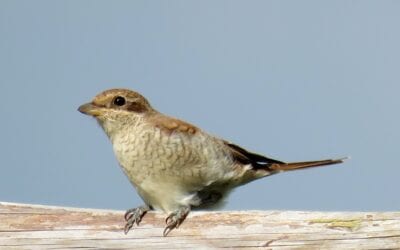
(42,227)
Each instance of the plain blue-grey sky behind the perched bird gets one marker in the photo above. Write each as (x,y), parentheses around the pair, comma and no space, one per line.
(295,80)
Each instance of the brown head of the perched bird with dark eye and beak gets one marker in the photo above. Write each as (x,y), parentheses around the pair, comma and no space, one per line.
(117,108)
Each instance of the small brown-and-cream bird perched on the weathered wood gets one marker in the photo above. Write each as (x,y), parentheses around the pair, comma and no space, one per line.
(175,166)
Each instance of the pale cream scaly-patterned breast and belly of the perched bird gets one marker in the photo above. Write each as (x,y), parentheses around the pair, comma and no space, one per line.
(168,173)
